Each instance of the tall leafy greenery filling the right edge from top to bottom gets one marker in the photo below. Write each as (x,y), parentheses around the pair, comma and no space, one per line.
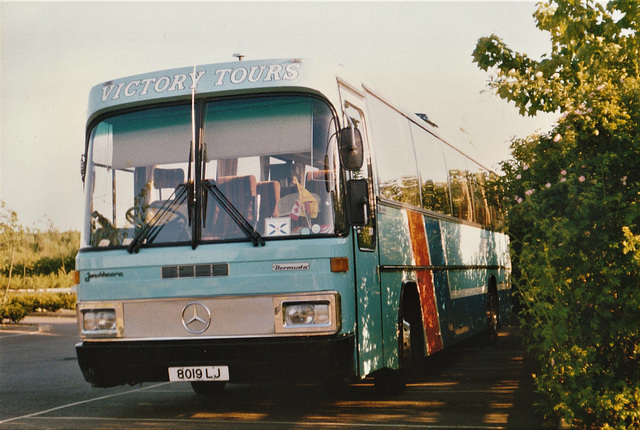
(573,206)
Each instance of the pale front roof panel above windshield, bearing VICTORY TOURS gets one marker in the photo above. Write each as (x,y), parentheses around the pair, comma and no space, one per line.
(219,78)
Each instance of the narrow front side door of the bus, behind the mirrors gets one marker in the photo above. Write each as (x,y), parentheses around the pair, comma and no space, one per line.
(366,261)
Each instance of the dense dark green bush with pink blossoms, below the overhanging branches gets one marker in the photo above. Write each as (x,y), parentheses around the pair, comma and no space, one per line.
(579,291)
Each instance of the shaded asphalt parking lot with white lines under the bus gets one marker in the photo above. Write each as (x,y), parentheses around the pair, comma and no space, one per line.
(468,386)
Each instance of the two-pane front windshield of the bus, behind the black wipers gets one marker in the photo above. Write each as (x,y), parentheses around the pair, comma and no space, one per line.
(273,159)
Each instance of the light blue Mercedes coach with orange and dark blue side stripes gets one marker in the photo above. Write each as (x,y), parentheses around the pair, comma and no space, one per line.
(276,220)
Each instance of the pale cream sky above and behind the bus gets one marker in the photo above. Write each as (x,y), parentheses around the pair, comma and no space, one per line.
(416,53)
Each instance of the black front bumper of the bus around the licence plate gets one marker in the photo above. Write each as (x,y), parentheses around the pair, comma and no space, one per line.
(106,364)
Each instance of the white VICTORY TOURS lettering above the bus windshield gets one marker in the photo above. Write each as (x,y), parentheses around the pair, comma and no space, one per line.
(233,76)
